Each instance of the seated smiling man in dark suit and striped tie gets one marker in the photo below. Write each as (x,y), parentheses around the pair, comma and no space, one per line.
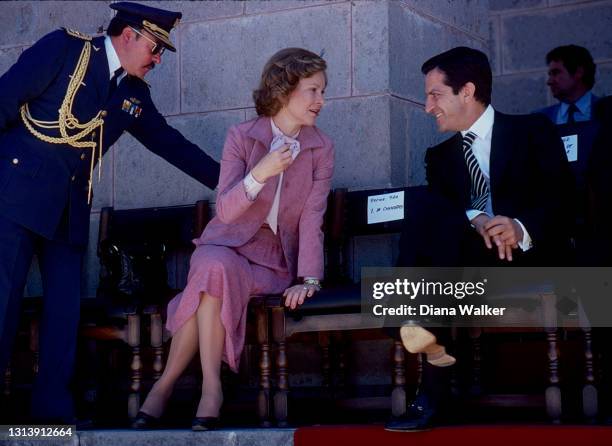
(496,196)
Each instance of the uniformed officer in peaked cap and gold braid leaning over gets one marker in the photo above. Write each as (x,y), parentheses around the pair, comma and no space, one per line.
(62,105)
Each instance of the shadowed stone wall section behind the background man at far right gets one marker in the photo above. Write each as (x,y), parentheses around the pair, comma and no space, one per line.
(523,31)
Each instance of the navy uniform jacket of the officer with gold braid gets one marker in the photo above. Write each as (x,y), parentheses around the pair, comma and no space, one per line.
(41,182)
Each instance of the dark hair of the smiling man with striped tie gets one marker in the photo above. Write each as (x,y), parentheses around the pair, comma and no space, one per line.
(462,65)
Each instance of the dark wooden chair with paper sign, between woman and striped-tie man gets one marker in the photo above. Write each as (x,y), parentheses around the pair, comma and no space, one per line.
(335,309)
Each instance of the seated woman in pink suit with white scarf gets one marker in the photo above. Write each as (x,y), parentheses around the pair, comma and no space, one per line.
(276,174)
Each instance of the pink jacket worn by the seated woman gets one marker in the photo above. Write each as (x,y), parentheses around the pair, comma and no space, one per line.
(303,198)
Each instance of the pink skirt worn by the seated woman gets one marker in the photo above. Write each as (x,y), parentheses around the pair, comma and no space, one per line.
(232,275)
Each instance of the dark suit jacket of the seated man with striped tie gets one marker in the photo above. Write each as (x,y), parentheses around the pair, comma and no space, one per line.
(529,178)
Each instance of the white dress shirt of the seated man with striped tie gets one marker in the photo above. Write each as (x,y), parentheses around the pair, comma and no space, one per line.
(481,147)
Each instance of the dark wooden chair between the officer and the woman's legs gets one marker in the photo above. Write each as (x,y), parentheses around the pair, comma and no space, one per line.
(125,309)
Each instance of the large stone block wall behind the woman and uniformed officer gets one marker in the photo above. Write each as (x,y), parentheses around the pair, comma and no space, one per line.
(374,108)
